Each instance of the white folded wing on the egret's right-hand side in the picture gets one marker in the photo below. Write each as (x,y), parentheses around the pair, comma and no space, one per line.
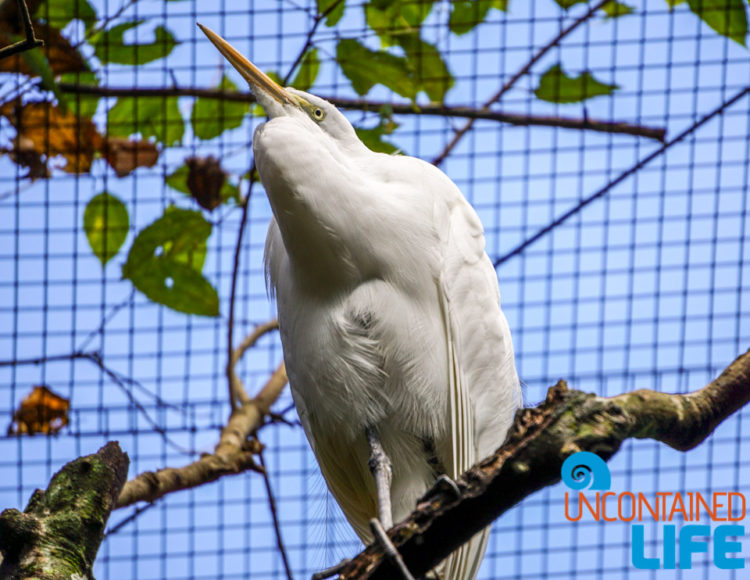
(484,390)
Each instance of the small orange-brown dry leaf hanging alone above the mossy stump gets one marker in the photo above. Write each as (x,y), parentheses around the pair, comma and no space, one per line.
(42,411)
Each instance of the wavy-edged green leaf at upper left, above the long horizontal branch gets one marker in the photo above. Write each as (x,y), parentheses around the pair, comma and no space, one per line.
(109,46)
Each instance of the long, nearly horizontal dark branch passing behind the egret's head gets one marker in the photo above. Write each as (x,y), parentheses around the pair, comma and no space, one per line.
(431,109)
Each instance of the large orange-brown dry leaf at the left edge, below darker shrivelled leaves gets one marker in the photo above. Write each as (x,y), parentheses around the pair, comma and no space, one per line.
(48,131)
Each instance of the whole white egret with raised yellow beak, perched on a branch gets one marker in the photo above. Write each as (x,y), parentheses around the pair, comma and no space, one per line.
(399,357)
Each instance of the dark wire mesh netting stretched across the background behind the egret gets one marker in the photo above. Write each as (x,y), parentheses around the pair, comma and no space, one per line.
(623,260)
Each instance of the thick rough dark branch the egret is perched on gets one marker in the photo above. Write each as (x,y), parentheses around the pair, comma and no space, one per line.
(532,455)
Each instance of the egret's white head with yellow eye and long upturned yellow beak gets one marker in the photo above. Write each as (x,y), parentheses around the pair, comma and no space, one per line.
(279,101)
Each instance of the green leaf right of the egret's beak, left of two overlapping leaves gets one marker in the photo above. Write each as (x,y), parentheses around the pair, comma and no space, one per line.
(366,68)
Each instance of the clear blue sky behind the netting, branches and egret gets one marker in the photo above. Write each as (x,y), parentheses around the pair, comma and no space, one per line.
(647,287)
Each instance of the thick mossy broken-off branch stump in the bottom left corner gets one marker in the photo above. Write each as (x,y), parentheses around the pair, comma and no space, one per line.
(58,535)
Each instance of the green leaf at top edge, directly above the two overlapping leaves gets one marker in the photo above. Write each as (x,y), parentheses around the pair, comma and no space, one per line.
(391,18)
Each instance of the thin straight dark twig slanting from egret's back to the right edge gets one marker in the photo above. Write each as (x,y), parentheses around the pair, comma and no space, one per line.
(620,178)
